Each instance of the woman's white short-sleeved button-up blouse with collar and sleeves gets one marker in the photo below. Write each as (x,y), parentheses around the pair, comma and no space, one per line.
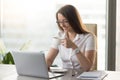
(84,42)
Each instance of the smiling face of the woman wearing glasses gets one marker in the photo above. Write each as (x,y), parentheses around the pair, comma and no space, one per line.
(63,22)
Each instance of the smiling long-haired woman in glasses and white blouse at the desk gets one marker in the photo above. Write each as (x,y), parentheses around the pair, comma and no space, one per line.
(77,46)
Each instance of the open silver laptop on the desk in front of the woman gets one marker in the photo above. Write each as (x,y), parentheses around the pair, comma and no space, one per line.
(32,64)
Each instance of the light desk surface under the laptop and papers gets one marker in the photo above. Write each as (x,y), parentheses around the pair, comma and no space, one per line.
(8,72)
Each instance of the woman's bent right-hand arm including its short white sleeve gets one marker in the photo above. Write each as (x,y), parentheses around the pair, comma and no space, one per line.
(87,58)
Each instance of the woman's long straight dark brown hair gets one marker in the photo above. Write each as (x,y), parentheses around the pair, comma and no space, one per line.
(73,17)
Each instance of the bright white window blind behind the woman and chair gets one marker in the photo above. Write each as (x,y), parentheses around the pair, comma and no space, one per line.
(33,21)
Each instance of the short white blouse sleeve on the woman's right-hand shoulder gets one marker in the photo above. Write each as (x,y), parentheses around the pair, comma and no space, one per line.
(91,43)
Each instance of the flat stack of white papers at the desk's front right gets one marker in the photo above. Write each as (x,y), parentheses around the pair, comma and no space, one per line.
(94,75)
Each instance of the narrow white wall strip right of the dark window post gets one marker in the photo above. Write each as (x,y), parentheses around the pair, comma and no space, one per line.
(118,37)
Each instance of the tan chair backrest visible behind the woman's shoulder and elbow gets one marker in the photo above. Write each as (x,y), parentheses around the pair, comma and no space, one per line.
(93,28)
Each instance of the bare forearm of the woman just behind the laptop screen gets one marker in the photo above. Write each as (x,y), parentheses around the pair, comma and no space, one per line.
(51,56)
